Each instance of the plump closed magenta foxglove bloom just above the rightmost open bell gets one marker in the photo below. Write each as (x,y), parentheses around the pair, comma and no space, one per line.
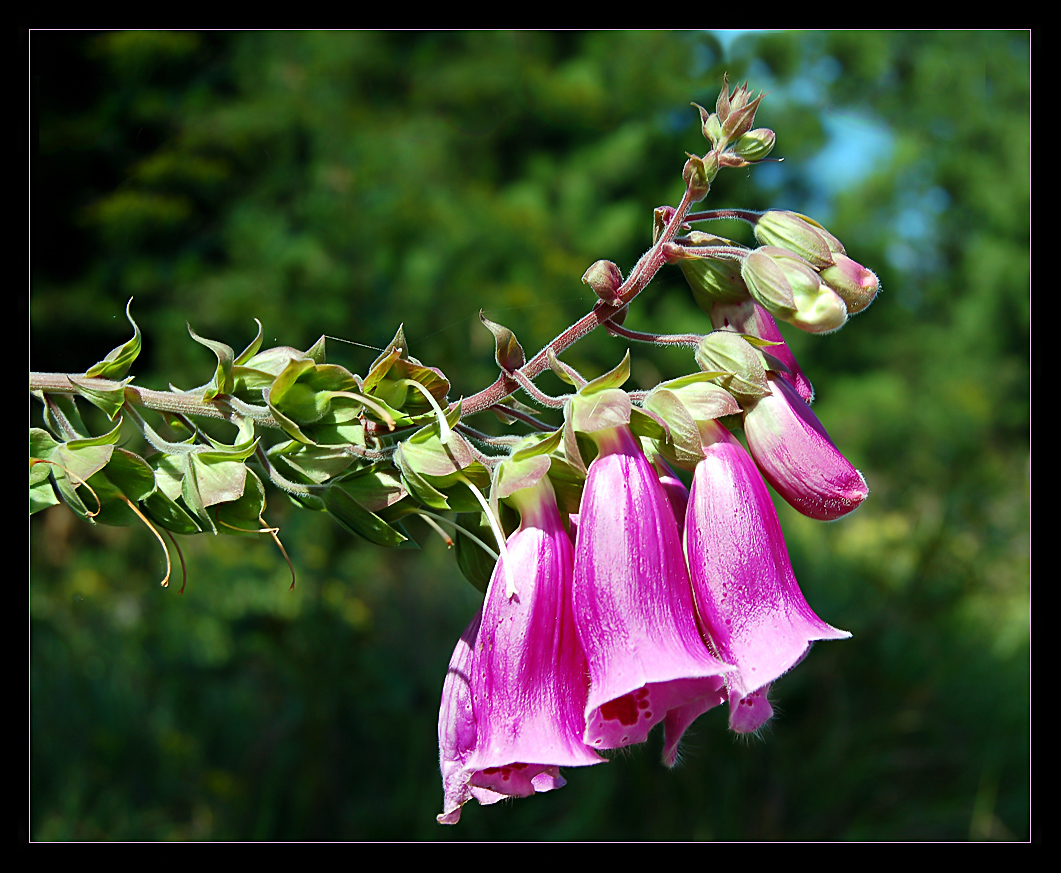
(798,459)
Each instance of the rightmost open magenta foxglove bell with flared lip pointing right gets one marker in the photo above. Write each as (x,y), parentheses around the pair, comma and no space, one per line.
(751,607)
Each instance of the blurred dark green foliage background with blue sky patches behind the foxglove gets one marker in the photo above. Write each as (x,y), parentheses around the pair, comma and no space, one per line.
(344,183)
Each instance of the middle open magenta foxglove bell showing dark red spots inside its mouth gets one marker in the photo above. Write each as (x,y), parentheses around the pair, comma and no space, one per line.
(634,605)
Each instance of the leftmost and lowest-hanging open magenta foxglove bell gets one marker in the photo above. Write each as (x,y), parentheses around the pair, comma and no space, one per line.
(521,692)
